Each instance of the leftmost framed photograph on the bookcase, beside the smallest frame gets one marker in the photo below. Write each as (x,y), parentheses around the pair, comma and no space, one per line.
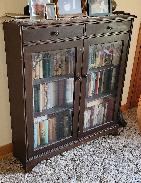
(37,8)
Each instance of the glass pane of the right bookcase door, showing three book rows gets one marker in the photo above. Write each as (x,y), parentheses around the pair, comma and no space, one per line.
(101,83)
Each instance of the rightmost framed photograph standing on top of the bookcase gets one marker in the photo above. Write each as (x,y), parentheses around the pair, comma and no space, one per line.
(99,7)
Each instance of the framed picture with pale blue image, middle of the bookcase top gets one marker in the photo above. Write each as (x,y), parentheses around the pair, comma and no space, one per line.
(69,7)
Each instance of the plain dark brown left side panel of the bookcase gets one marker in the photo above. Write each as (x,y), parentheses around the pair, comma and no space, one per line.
(15,75)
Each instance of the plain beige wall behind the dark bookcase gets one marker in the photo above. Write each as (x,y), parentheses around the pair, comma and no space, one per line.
(17,6)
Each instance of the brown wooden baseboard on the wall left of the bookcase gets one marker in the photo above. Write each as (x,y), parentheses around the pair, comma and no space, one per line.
(5,150)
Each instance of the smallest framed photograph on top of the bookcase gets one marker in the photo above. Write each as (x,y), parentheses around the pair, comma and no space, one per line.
(50,11)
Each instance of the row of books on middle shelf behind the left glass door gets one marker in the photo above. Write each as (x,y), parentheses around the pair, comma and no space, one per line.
(53,94)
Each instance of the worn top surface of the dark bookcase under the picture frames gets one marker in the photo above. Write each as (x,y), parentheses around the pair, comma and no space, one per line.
(68,20)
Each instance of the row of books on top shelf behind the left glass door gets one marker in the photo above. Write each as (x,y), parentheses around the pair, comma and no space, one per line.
(53,63)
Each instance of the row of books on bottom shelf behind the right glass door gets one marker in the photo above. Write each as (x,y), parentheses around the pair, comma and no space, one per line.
(99,112)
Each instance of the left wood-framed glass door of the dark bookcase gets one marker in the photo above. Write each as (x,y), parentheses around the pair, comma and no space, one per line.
(51,71)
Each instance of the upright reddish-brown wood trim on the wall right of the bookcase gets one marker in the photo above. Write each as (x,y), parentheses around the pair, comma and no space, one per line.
(134,93)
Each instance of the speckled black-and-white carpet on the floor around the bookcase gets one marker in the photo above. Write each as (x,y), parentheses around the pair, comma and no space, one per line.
(105,160)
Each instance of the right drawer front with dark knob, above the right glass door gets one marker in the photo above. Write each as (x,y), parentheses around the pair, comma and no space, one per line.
(107,27)
